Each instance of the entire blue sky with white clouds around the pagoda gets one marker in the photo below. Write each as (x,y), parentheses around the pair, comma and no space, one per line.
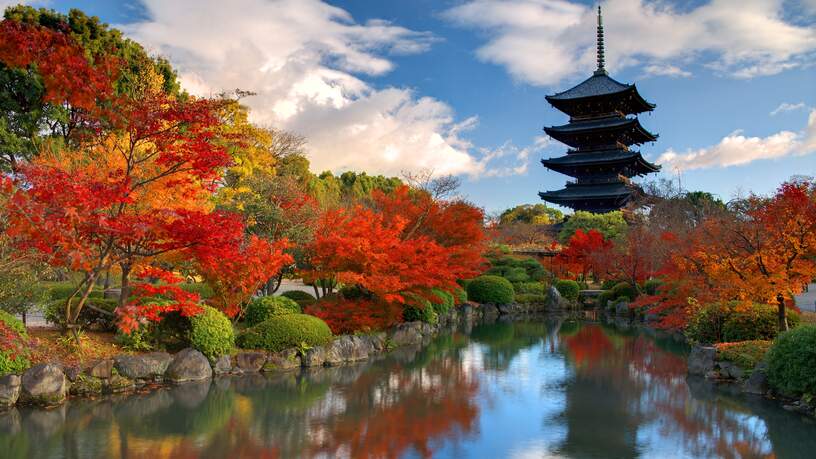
(458,86)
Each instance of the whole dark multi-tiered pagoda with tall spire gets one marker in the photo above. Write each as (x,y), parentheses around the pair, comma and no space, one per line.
(600,134)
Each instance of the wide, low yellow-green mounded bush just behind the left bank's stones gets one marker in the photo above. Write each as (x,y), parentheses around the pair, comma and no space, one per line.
(286,331)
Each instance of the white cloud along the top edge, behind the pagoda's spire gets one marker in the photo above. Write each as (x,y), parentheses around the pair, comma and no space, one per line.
(544,41)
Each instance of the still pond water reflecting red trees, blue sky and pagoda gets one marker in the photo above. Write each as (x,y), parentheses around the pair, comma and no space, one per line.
(550,388)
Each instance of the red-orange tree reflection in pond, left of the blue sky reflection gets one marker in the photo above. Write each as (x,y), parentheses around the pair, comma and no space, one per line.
(411,410)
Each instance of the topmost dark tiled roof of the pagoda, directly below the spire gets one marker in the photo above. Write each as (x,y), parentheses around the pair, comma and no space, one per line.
(601,85)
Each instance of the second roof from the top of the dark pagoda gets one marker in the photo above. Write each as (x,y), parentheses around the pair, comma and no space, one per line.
(628,131)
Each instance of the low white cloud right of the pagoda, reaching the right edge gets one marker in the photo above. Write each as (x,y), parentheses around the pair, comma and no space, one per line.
(736,149)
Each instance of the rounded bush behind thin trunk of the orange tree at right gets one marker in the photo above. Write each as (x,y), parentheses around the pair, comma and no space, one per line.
(758,322)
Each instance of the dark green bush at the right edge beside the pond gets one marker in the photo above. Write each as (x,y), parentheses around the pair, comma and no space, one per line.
(792,361)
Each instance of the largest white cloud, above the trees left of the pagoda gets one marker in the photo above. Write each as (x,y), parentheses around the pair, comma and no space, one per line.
(307,61)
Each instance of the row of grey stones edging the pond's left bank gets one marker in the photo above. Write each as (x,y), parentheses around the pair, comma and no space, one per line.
(50,384)
